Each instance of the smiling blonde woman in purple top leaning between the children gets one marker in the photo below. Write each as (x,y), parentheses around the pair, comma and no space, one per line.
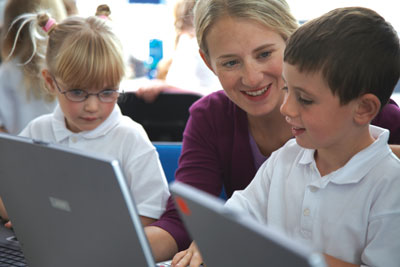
(230,133)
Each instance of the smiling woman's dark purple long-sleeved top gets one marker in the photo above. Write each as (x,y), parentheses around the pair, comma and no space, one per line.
(216,152)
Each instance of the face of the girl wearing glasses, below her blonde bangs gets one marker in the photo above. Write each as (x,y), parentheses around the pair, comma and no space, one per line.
(87,114)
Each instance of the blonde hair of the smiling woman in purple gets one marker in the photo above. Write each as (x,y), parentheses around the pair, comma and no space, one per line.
(274,14)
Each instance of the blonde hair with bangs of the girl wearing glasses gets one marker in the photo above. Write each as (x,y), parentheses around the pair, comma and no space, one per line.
(82,52)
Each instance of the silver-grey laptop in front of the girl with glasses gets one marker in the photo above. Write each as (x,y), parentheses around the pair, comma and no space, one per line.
(68,207)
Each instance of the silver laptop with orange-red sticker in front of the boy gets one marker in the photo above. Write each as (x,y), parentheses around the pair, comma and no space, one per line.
(225,238)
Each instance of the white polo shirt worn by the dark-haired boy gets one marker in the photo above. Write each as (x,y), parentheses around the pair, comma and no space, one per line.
(352,213)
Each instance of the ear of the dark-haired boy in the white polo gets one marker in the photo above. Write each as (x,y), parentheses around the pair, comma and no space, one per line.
(368,106)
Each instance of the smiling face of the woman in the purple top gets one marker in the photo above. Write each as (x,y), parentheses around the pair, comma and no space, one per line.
(247,57)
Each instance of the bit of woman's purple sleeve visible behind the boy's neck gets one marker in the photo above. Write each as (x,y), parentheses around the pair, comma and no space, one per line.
(389,118)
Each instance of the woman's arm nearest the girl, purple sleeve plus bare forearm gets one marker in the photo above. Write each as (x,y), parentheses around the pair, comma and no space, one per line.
(199,166)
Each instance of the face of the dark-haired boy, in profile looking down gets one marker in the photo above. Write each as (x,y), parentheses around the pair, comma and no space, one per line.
(318,120)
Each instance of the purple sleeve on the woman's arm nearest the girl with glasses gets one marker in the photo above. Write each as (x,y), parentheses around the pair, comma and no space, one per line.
(199,166)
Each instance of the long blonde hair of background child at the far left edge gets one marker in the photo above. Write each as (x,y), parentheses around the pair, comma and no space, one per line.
(21,49)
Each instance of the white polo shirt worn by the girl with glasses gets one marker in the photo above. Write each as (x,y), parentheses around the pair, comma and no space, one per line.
(119,137)
